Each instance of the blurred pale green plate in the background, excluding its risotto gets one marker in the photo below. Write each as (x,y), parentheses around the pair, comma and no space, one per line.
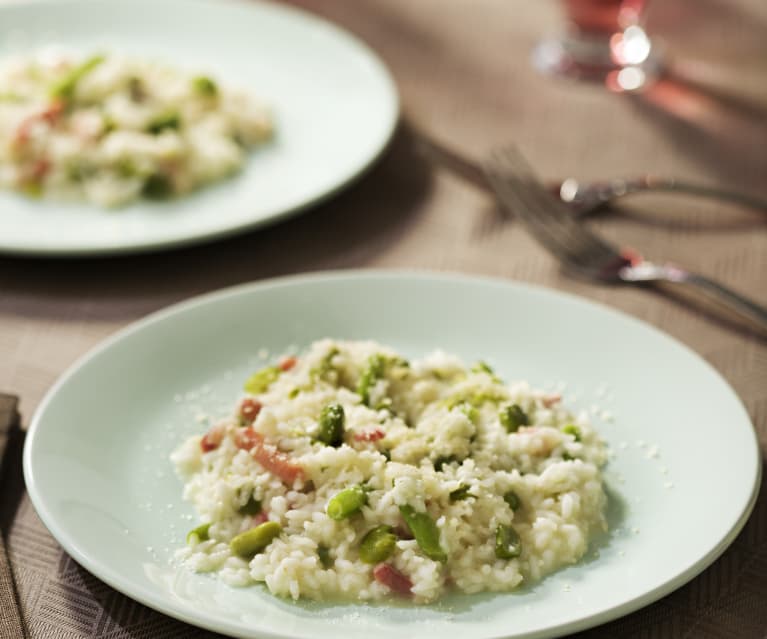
(334,103)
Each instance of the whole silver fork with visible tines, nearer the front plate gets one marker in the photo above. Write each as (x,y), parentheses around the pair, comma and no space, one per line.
(551,222)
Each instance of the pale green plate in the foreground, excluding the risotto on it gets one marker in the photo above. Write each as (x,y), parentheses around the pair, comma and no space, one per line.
(682,481)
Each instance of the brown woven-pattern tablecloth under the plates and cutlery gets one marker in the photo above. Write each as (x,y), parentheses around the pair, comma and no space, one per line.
(464,76)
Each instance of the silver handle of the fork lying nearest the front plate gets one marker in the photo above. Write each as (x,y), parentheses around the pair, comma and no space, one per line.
(743,307)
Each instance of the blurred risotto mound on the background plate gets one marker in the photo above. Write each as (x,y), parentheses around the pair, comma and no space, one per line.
(111,129)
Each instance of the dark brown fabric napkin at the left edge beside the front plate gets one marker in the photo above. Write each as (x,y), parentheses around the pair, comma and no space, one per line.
(10,614)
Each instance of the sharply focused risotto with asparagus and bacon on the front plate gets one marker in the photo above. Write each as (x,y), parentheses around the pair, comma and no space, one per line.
(349,473)
